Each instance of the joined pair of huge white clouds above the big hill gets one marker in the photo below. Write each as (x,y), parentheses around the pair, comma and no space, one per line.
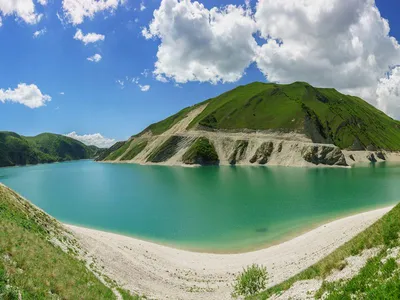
(343,44)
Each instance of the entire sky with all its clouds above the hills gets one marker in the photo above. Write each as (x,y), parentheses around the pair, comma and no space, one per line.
(103,70)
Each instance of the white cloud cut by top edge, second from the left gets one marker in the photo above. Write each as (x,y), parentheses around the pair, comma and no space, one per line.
(76,11)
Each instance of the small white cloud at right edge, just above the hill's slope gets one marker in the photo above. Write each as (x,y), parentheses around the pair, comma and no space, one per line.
(388,93)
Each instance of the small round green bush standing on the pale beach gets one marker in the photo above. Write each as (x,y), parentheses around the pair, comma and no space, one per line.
(251,281)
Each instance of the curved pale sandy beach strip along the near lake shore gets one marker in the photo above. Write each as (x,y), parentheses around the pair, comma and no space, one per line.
(162,272)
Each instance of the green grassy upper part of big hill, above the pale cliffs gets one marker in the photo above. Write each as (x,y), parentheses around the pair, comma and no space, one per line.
(325,115)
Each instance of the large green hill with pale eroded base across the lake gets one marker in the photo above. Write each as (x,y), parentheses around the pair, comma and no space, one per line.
(274,112)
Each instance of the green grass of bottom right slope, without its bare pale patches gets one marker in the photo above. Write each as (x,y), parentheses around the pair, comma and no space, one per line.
(376,280)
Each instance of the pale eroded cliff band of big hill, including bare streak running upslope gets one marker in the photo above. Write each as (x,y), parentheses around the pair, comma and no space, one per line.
(179,146)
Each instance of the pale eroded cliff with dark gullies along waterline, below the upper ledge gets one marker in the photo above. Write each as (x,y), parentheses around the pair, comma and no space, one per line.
(235,149)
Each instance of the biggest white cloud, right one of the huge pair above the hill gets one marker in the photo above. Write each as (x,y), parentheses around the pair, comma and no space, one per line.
(341,44)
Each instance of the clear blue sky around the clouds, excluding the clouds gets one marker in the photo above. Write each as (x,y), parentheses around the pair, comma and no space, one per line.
(92,100)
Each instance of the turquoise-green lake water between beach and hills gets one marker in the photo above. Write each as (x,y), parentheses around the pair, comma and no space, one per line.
(207,209)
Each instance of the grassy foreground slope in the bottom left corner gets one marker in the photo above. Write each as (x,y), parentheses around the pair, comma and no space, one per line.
(31,266)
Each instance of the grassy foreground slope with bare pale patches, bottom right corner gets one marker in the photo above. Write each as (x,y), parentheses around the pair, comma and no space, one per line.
(348,273)
